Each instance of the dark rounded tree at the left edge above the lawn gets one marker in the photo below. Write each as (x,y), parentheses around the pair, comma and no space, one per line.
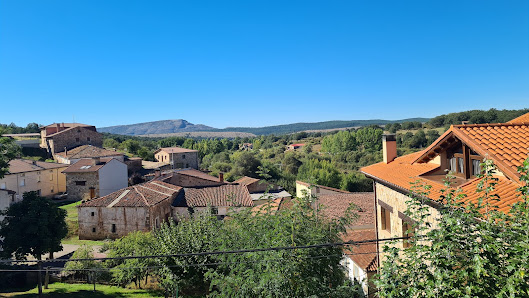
(32,226)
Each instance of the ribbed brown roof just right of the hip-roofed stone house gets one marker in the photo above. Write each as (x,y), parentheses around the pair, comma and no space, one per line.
(216,196)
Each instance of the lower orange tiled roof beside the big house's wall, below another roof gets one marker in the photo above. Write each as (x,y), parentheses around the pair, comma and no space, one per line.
(364,255)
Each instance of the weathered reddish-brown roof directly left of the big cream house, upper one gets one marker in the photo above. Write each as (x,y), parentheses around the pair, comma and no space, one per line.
(335,205)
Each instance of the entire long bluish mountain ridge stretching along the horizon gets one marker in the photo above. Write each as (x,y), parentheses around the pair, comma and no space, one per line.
(164,127)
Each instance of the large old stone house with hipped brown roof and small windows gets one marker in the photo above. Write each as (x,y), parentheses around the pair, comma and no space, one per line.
(142,207)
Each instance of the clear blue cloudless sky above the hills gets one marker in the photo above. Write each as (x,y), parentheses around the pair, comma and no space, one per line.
(257,63)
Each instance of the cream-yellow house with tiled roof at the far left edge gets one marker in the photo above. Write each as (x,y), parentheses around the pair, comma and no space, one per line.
(46,178)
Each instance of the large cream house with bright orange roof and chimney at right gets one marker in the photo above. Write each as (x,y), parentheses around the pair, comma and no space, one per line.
(459,150)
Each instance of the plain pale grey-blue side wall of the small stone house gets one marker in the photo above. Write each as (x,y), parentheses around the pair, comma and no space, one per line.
(113,176)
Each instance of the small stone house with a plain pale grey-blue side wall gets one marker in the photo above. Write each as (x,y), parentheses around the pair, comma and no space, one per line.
(89,178)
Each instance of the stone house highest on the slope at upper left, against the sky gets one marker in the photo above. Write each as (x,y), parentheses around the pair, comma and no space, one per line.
(59,137)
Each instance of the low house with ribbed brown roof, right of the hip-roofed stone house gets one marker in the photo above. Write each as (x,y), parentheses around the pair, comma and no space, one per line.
(219,198)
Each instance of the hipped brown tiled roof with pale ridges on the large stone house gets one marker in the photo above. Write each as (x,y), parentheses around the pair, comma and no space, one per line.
(141,195)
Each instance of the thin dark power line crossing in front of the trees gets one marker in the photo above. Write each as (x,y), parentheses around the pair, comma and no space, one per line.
(216,252)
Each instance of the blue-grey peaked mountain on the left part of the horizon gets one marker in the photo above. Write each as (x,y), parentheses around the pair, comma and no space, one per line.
(155,127)
